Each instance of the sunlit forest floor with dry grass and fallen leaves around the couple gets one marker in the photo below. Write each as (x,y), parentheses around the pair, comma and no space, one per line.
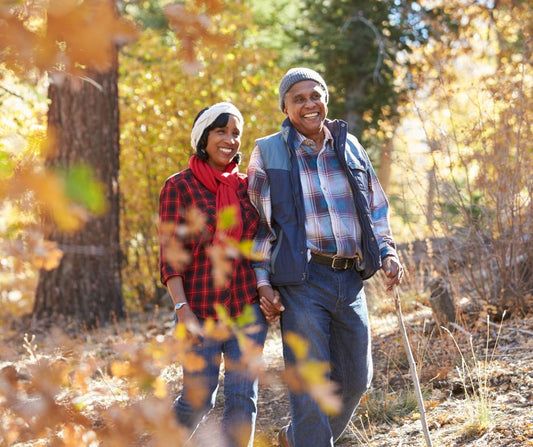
(477,382)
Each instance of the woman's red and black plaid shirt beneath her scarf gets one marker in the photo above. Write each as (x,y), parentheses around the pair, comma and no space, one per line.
(182,192)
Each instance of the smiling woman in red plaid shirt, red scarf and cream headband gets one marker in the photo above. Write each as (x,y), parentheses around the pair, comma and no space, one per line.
(210,185)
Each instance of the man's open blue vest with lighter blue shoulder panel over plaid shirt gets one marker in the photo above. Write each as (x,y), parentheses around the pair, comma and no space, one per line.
(289,254)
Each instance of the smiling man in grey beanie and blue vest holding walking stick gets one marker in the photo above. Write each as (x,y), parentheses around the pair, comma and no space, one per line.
(324,229)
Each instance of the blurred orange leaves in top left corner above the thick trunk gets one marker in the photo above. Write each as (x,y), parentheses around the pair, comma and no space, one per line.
(63,35)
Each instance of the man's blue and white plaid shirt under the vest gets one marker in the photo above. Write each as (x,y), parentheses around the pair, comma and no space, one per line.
(331,224)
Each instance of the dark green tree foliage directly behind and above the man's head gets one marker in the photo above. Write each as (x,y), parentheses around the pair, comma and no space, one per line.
(358,45)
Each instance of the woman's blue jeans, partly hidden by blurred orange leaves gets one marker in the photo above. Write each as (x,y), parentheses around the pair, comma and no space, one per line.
(240,389)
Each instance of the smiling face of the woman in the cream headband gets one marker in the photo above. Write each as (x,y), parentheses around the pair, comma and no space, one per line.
(222,144)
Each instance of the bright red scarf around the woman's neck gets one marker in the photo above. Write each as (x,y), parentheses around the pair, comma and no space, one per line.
(225,184)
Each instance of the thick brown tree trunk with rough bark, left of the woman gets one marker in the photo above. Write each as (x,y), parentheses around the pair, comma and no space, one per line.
(84,119)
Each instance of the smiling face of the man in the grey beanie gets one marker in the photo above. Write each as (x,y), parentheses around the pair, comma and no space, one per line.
(305,105)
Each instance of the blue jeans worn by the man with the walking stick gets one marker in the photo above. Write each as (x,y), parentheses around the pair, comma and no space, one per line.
(329,311)
